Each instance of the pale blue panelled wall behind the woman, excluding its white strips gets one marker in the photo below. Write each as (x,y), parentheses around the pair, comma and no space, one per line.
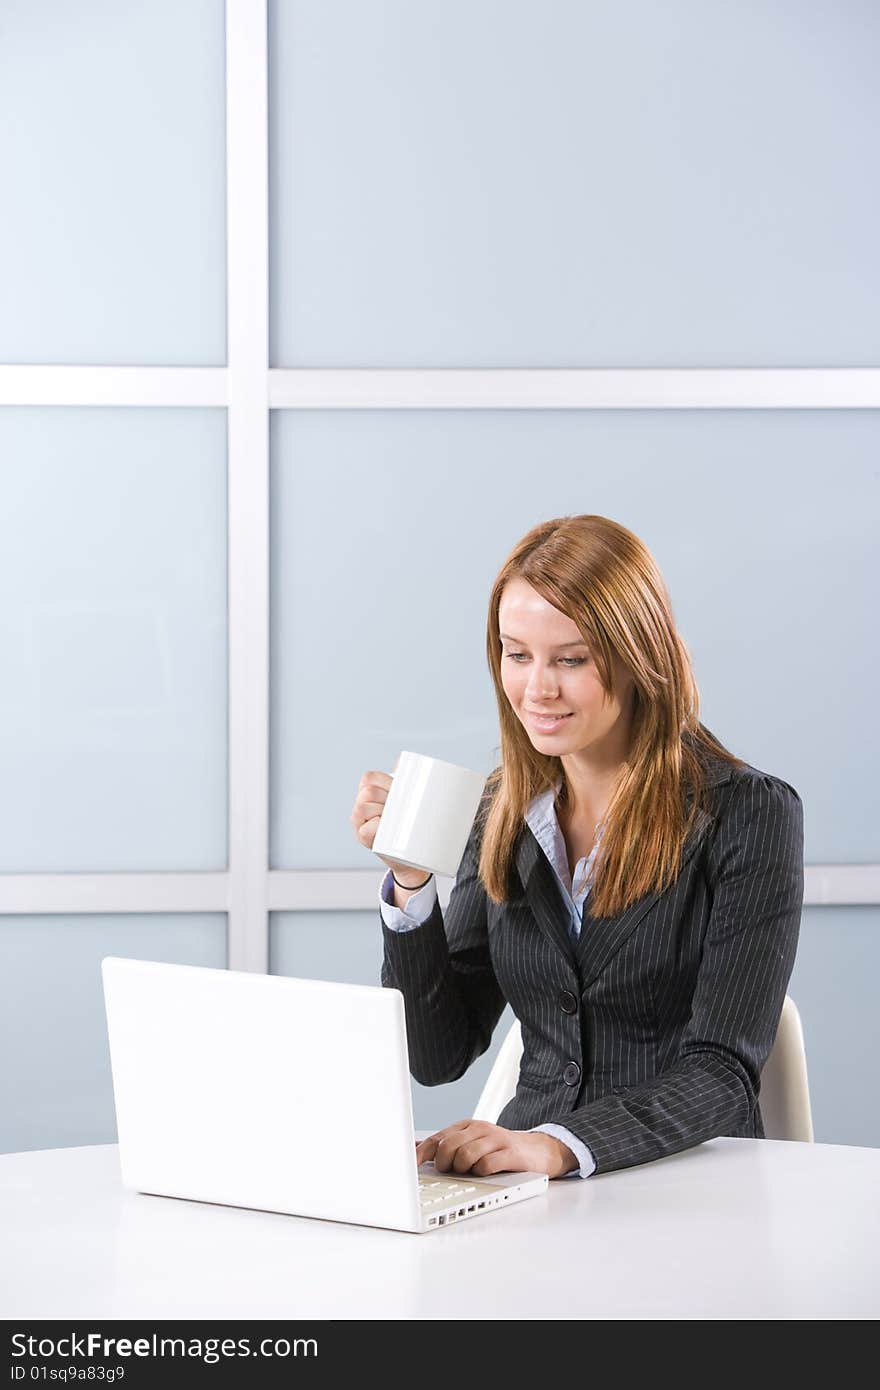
(453,186)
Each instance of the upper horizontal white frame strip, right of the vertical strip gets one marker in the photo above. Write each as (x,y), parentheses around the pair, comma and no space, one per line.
(693,389)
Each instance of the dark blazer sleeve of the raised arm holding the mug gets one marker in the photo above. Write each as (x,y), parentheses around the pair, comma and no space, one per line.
(444,971)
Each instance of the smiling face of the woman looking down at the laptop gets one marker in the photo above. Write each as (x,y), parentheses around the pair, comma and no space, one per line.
(553,683)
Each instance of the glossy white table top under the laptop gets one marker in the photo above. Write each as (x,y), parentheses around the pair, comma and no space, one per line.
(732,1229)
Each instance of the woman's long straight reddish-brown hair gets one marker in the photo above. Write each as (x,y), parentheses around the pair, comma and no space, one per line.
(607,582)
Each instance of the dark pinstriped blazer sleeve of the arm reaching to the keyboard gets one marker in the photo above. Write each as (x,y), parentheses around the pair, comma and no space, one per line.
(714,1082)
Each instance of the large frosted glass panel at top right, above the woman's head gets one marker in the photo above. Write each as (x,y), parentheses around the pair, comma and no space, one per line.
(592,186)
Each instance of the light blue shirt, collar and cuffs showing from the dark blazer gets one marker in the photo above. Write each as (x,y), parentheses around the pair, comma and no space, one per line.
(541,821)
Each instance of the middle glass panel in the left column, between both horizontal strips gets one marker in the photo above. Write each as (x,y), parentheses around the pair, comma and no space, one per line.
(113,640)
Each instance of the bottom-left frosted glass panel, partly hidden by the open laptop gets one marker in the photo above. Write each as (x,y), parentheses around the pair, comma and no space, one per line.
(56,1088)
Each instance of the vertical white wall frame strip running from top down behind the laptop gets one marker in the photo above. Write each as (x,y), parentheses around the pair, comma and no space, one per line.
(250,479)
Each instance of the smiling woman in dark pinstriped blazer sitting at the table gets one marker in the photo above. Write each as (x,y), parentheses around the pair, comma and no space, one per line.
(630,888)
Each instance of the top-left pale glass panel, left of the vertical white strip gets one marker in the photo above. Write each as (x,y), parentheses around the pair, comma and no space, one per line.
(113,237)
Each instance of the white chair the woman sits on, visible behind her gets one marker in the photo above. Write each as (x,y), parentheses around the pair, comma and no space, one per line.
(785,1089)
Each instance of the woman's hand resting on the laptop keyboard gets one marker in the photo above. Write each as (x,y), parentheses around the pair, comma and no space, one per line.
(482,1149)
